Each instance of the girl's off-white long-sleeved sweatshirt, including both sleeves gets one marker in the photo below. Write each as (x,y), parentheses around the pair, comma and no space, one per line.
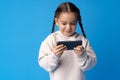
(69,66)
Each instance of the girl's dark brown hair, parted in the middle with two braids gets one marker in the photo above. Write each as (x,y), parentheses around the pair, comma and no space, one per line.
(68,7)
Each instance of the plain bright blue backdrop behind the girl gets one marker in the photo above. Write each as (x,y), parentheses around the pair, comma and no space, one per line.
(25,23)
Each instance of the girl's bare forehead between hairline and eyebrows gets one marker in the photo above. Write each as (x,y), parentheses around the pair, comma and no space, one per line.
(67,16)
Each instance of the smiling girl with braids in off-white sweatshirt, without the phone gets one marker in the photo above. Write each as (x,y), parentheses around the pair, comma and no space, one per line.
(61,63)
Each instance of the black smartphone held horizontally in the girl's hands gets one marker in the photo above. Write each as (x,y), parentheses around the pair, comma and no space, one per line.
(70,44)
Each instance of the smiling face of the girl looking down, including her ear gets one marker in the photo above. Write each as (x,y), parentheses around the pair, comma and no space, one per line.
(67,22)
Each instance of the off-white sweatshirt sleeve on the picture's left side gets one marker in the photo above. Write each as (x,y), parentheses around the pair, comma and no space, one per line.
(47,59)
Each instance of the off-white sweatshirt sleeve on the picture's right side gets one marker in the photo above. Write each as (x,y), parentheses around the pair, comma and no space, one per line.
(88,59)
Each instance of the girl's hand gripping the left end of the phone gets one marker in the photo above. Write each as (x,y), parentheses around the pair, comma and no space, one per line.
(59,49)
